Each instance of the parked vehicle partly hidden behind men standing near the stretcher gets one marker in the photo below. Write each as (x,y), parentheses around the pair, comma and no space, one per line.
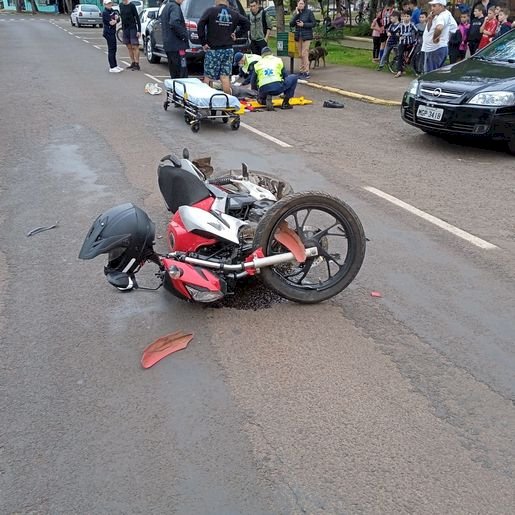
(193,10)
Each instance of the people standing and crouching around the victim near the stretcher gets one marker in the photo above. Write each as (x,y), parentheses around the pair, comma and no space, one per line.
(216,31)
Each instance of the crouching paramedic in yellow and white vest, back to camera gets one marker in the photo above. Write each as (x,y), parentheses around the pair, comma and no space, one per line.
(270,78)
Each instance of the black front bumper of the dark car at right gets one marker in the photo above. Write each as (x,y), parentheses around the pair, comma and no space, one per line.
(489,122)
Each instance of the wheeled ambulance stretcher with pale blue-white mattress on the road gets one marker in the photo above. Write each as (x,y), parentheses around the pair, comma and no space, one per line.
(201,102)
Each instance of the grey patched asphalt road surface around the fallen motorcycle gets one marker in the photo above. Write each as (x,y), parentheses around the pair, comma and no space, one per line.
(397,404)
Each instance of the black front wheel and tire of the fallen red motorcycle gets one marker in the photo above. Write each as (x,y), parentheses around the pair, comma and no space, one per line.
(321,221)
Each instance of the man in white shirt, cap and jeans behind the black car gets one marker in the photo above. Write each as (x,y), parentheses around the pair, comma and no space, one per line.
(435,40)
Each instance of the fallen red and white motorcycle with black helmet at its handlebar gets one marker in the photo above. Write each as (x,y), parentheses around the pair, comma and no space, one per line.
(306,246)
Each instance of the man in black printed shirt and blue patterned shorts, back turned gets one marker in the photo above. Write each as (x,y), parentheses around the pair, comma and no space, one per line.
(216,31)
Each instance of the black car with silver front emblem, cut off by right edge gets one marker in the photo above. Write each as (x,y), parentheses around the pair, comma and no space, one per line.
(473,98)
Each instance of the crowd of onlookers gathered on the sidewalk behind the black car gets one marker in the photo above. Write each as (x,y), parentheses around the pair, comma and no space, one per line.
(438,33)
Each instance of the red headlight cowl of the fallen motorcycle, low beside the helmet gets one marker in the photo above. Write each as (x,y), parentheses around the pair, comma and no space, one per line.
(194,276)
